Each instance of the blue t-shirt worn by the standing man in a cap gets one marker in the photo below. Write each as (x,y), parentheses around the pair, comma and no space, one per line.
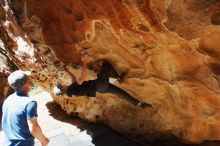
(16,110)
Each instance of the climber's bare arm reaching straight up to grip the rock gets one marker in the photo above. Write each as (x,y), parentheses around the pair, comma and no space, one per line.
(83,76)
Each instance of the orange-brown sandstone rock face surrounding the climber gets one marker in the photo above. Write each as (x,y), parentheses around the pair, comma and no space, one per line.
(168,50)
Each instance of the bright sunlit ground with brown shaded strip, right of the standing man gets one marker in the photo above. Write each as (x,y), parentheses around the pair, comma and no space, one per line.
(54,121)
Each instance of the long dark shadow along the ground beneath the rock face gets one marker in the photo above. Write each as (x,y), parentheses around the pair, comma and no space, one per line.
(105,136)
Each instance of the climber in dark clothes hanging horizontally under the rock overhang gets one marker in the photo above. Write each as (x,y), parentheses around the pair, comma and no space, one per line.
(89,88)
